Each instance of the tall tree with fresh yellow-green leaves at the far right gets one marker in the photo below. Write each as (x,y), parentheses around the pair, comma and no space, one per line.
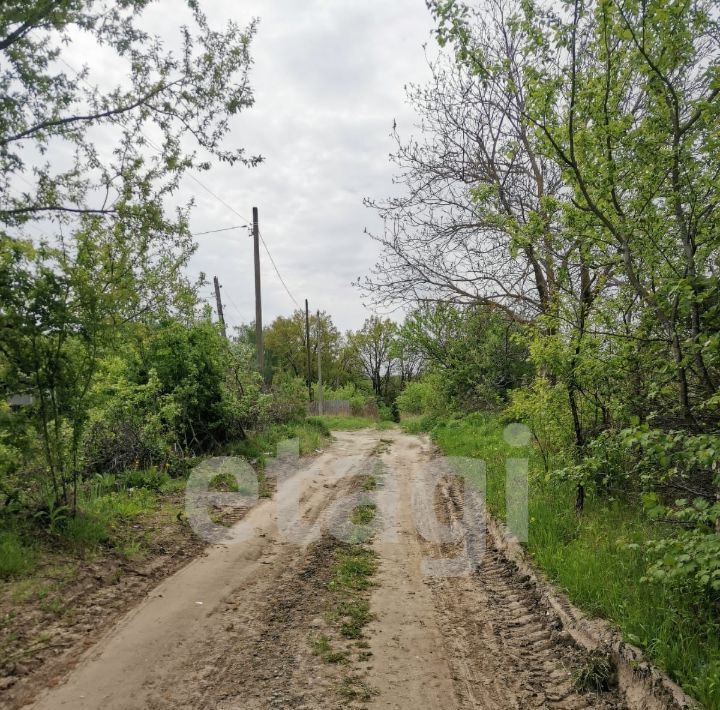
(623,98)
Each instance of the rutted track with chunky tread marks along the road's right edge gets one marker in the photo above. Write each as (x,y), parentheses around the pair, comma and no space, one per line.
(509,649)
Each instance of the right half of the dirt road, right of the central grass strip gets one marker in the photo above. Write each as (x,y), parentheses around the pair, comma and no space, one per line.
(466,612)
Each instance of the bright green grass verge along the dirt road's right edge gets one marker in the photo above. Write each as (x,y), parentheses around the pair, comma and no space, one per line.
(597,558)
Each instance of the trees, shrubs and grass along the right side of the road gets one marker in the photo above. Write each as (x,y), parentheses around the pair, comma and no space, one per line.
(557,243)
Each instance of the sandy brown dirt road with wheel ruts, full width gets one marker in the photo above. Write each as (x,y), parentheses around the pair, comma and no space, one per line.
(252,624)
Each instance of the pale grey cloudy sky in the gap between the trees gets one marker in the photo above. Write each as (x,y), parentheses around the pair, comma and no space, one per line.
(328,79)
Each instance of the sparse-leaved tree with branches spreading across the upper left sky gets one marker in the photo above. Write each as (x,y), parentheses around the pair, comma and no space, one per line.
(115,255)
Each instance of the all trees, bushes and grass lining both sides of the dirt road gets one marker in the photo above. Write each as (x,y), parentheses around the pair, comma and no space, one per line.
(554,238)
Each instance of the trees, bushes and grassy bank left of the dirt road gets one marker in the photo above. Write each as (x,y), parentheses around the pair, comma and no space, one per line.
(116,377)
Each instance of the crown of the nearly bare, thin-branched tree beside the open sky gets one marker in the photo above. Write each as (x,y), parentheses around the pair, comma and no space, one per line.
(478,219)
